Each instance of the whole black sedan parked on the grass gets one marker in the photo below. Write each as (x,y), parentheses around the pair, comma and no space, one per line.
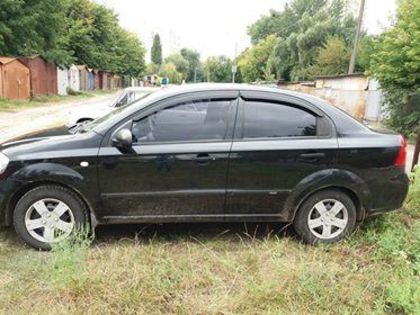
(205,153)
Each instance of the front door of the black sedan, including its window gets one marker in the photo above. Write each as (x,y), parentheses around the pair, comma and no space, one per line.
(177,166)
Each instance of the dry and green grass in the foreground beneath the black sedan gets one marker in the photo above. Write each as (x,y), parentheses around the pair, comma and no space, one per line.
(219,269)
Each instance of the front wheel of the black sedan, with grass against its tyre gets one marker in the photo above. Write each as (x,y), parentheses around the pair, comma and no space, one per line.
(49,214)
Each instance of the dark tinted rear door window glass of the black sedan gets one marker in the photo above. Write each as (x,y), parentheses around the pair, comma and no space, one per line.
(269,120)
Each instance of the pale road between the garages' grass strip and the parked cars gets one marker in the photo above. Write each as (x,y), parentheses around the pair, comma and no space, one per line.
(13,124)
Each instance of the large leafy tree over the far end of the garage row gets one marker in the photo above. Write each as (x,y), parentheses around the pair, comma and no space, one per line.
(94,37)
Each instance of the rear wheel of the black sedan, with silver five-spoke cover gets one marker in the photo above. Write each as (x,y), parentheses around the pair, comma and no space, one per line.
(337,222)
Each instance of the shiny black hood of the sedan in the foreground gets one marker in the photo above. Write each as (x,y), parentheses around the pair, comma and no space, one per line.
(49,143)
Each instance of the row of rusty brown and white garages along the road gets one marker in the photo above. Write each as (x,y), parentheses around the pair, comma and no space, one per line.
(25,77)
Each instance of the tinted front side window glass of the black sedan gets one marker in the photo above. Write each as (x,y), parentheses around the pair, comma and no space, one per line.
(188,121)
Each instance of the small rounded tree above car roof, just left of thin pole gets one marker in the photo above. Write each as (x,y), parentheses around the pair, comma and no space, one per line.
(218,69)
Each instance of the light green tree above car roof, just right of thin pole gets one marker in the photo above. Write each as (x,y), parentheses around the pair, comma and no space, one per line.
(253,61)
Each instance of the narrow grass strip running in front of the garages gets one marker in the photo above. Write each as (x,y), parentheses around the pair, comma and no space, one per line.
(13,105)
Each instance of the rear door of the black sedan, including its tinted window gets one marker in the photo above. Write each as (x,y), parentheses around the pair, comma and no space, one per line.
(277,144)
